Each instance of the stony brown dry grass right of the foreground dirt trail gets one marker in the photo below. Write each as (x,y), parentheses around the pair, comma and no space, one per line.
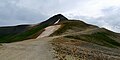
(69,49)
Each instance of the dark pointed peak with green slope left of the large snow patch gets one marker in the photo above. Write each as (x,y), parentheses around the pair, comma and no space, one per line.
(23,32)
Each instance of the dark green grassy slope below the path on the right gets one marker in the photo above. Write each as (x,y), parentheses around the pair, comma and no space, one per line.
(100,38)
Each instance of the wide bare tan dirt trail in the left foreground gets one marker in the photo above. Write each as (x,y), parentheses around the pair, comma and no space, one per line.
(34,49)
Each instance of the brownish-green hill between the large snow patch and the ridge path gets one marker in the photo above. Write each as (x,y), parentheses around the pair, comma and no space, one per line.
(74,25)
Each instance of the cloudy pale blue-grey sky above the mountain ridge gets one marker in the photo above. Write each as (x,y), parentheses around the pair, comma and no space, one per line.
(103,13)
